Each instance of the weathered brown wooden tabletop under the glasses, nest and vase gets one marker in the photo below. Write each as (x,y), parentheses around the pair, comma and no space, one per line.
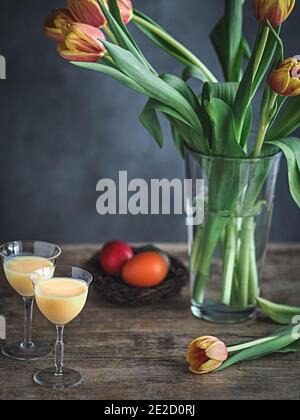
(138,353)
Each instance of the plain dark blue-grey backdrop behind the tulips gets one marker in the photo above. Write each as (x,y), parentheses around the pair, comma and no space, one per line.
(63,129)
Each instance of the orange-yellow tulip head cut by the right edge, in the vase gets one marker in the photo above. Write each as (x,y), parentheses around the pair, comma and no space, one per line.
(285,79)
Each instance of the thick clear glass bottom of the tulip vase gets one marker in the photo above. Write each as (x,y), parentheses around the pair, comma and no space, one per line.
(221,314)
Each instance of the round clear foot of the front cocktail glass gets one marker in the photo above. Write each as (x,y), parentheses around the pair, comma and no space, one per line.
(48,379)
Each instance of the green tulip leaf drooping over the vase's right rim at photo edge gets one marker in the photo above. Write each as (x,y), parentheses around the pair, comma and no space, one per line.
(290,146)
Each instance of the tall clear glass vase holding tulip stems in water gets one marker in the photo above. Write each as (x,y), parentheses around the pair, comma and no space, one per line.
(227,251)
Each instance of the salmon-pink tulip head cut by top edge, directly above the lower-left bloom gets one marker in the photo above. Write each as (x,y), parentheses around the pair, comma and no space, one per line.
(87,11)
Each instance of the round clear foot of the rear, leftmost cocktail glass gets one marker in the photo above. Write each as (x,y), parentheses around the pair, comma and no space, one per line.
(35,351)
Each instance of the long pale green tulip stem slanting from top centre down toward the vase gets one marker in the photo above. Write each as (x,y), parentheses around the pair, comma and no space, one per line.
(191,58)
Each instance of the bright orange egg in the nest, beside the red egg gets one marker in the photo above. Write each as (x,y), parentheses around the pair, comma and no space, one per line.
(147,269)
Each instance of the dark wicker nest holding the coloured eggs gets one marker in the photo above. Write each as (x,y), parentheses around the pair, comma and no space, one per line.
(115,290)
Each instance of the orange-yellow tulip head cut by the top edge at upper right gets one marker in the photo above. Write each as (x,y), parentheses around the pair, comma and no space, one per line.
(274,11)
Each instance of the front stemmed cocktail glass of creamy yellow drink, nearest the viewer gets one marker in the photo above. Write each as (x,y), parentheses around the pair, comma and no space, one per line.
(61,294)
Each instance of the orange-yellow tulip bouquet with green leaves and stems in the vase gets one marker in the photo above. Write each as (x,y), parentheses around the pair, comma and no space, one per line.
(217,123)
